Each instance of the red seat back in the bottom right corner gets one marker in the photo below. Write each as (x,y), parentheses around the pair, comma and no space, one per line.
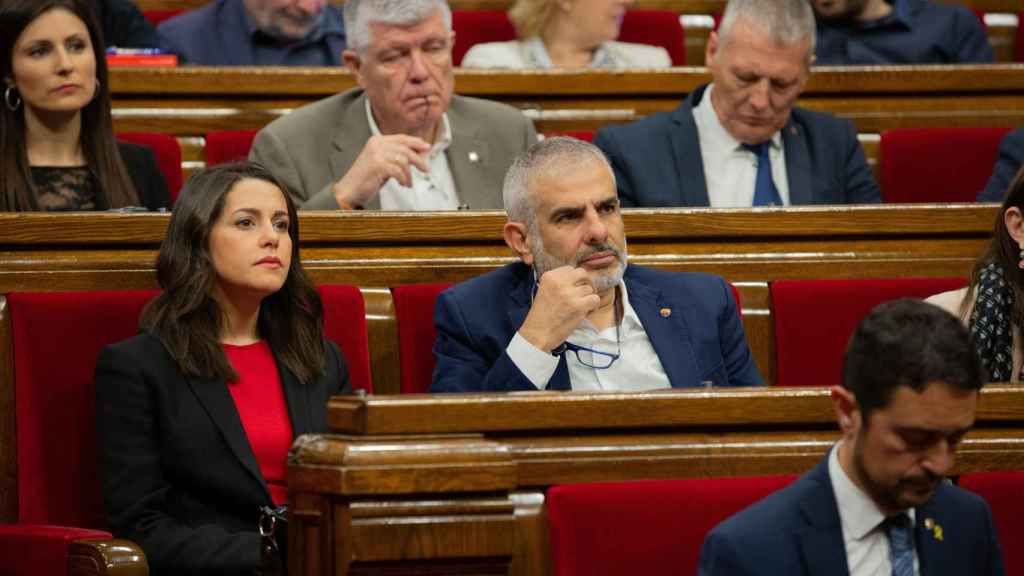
(1005,495)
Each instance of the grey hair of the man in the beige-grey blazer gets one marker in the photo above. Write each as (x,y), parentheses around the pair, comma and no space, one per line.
(359,15)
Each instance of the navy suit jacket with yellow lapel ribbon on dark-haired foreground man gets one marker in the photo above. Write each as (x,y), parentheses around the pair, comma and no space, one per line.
(797,531)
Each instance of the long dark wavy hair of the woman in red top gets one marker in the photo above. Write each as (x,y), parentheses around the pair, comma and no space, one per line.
(187,318)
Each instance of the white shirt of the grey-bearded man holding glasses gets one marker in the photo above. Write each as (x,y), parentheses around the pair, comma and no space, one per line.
(638,367)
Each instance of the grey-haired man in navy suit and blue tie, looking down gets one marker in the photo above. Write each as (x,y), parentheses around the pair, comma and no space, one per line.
(741,142)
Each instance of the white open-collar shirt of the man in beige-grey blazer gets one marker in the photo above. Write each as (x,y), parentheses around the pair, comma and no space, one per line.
(434,191)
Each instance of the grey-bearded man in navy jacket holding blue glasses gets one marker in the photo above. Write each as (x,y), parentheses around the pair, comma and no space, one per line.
(571,315)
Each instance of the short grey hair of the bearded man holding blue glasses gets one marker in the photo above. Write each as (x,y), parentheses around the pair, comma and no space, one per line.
(547,157)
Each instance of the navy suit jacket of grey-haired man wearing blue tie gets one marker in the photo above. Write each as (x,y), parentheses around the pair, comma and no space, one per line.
(658,160)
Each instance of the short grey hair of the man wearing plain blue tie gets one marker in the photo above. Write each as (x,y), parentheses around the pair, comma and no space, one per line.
(787,22)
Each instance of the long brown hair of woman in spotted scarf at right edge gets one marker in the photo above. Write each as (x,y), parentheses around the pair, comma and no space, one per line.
(1003,250)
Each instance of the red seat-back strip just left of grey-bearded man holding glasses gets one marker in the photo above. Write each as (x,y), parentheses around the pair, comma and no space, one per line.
(414,309)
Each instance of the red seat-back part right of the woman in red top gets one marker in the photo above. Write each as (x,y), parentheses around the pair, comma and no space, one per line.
(346,324)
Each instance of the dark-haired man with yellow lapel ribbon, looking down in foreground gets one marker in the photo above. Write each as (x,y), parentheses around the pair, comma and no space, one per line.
(879,504)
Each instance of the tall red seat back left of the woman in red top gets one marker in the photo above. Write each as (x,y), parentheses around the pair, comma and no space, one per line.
(57,339)
